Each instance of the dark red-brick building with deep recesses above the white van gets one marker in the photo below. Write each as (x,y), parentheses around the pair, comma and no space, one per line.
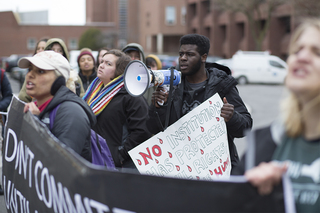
(229,32)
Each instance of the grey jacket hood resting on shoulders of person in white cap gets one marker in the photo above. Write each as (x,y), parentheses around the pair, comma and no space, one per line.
(64,94)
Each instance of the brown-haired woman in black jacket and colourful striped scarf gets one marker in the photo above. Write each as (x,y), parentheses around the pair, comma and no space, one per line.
(121,118)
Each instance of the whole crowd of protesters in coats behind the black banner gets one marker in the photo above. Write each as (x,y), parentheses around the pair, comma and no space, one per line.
(96,98)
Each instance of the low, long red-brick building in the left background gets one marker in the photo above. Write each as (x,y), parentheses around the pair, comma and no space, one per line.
(18,38)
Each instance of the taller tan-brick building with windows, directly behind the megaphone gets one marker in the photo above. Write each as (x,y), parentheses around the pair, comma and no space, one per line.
(155,24)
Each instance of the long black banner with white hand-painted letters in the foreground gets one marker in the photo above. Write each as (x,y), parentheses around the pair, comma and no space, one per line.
(42,175)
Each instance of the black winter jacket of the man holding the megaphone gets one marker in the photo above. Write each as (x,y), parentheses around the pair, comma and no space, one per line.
(218,82)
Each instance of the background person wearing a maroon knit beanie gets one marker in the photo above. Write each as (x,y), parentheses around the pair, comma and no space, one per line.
(87,71)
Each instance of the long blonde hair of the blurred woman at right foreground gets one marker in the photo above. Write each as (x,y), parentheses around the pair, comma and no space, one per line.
(292,111)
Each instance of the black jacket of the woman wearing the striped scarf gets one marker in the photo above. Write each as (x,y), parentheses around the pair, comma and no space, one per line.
(123,124)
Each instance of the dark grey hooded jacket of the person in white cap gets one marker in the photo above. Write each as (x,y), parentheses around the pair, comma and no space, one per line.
(73,121)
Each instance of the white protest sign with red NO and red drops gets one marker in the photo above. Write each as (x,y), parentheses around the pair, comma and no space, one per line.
(194,147)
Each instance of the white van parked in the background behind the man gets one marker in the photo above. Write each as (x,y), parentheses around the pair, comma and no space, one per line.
(256,67)
